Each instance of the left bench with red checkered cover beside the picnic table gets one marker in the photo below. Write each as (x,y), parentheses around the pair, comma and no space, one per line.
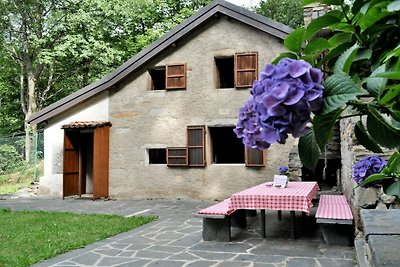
(218,219)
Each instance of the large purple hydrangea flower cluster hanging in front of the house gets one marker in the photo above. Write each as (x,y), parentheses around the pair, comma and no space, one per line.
(281,103)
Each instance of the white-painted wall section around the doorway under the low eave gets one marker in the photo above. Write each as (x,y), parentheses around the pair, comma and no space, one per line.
(96,109)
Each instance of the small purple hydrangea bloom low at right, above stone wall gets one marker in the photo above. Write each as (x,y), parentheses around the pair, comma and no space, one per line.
(367,166)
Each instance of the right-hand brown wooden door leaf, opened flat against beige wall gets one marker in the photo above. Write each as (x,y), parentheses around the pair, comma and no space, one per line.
(100,161)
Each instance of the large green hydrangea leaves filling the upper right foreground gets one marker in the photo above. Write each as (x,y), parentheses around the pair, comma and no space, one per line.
(358,48)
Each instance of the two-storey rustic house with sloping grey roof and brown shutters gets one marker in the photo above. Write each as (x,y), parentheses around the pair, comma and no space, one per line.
(160,125)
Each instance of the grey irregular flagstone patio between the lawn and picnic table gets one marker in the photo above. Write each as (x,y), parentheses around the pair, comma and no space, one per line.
(175,238)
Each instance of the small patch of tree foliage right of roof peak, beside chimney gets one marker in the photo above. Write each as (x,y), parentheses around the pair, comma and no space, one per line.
(288,12)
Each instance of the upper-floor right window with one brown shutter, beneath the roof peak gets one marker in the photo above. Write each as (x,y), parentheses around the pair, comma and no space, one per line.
(238,71)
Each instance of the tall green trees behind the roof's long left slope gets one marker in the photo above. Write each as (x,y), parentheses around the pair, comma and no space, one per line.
(53,48)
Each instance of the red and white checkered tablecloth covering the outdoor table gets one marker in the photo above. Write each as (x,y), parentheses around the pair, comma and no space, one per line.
(295,197)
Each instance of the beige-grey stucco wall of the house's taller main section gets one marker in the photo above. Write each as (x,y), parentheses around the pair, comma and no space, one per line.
(145,119)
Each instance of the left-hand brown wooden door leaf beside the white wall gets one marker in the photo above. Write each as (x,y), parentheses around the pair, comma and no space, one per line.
(71,164)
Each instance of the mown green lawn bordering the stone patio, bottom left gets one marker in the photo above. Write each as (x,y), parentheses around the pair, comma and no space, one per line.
(27,237)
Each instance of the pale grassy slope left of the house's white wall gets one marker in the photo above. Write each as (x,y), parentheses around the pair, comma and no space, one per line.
(21,177)
